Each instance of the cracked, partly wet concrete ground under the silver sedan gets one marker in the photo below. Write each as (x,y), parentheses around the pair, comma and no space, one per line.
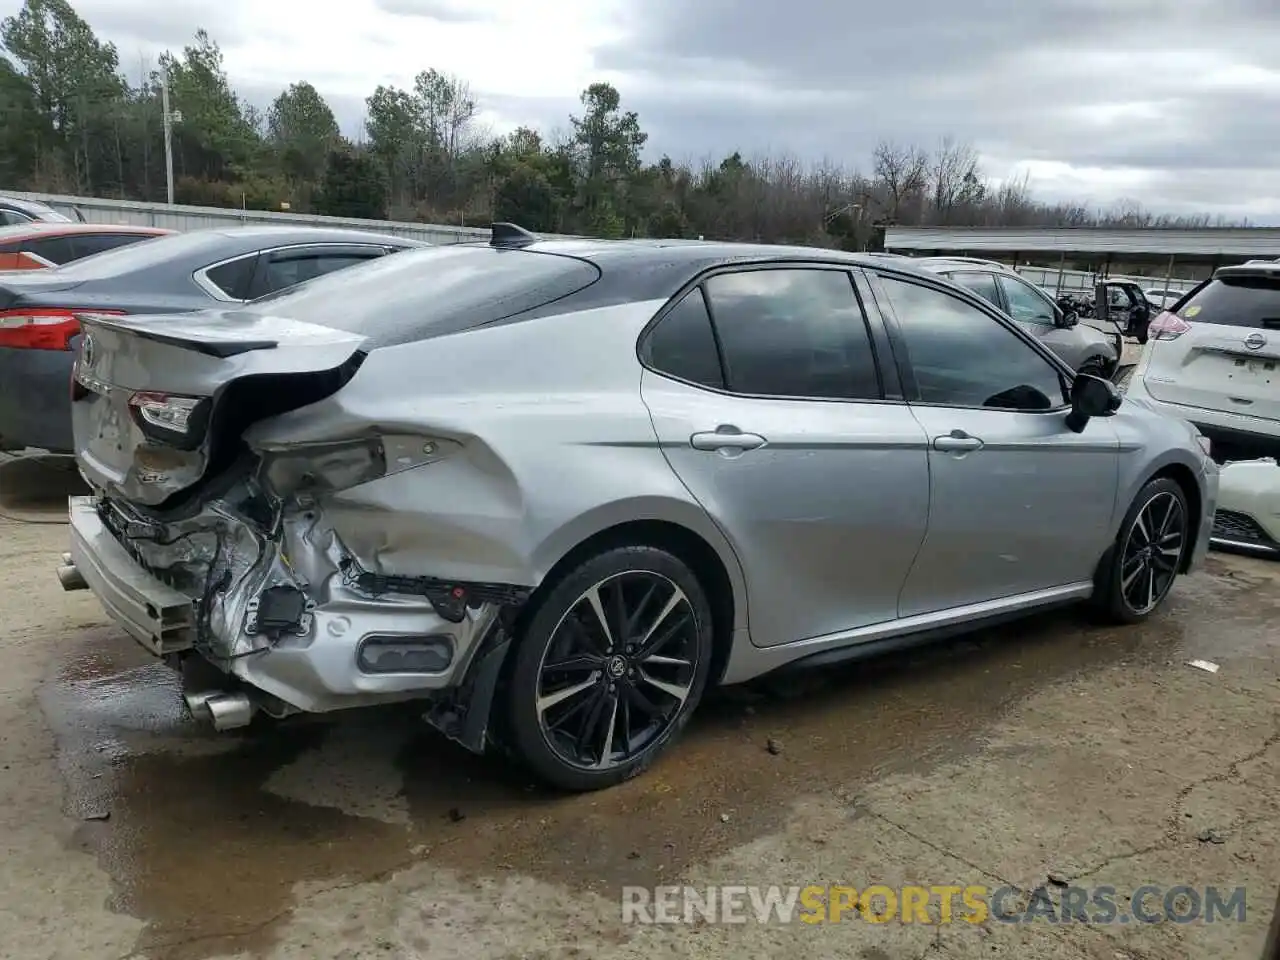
(1053,747)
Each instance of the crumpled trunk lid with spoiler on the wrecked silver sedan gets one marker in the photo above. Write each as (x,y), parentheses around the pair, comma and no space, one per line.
(159,403)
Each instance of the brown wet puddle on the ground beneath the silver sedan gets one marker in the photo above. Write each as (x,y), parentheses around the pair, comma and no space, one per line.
(207,836)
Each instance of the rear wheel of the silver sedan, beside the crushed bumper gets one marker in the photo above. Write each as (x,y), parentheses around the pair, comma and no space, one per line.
(564,628)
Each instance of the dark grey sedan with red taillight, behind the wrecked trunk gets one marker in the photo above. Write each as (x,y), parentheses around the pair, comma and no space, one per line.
(39,309)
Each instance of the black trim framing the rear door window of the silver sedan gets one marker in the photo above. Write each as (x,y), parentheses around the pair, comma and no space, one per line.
(892,388)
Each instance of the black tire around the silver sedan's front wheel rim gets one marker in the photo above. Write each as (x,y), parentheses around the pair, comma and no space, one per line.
(1114,591)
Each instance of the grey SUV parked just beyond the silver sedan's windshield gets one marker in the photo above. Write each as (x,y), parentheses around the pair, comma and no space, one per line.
(1084,348)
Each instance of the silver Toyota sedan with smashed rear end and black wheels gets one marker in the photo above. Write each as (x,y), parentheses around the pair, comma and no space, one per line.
(557,490)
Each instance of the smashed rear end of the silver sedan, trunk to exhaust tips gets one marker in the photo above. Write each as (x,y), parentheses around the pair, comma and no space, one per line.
(199,543)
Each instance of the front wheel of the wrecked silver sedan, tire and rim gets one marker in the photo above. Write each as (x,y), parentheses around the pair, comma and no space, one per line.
(1139,573)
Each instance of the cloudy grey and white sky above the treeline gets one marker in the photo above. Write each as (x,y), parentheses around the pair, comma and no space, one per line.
(1171,103)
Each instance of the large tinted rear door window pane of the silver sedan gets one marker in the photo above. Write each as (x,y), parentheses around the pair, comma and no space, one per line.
(794,333)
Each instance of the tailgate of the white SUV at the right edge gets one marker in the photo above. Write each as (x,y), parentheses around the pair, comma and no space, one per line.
(1228,356)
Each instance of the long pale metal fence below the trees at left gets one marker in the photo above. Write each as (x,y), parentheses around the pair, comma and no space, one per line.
(196,218)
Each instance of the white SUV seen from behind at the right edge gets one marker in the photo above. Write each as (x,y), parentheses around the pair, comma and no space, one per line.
(1217,360)
